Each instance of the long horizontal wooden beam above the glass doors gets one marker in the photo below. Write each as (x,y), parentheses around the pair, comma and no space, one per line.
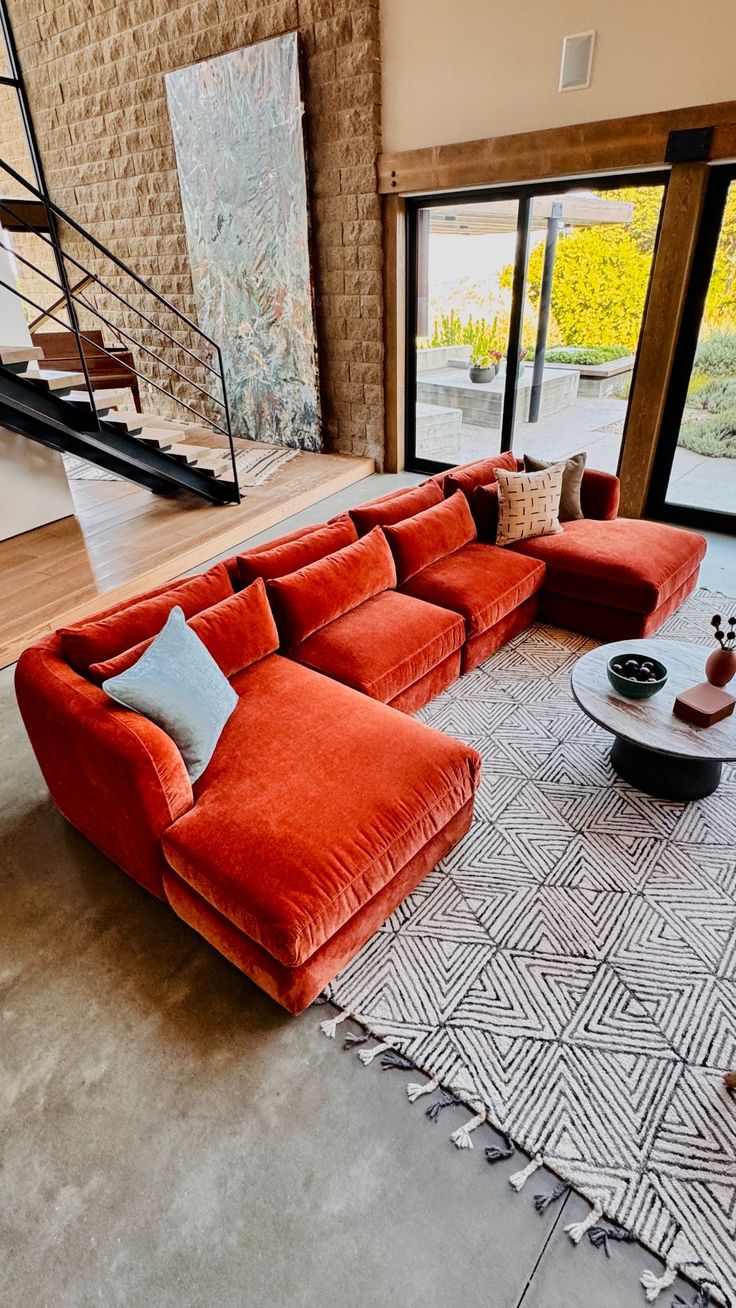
(611,146)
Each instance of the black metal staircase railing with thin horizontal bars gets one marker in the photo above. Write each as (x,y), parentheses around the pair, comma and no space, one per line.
(73,298)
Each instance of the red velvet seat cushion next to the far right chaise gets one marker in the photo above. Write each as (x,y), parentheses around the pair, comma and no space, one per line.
(480,583)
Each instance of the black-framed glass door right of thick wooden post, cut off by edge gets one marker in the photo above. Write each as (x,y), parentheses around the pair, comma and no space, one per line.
(695,479)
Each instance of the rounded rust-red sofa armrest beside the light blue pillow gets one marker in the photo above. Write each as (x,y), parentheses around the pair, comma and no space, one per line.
(113,774)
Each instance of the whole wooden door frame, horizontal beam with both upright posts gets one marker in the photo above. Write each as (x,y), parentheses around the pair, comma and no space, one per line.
(612,146)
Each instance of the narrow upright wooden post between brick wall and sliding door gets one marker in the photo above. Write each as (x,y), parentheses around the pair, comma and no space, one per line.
(394,328)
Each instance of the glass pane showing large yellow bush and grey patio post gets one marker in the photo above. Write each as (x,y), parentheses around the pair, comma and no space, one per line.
(588,278)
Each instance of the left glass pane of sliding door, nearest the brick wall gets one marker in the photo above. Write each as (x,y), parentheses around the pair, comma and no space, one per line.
(463,313)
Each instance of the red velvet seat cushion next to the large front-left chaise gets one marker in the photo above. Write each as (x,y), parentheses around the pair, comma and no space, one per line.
(385,645)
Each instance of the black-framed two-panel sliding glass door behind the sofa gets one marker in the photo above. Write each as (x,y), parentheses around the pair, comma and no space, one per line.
(525,309)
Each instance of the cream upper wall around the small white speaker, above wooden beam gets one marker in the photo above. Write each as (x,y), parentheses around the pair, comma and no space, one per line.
(463,70)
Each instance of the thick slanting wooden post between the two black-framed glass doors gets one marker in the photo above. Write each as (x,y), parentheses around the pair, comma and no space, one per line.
(663,316)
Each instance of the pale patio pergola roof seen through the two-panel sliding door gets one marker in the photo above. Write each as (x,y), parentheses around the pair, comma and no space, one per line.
(488,218)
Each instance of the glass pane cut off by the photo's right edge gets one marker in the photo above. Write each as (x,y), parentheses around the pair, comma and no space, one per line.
(704,473)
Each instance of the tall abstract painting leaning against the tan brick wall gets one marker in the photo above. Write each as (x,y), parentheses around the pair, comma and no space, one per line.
(237,125)
